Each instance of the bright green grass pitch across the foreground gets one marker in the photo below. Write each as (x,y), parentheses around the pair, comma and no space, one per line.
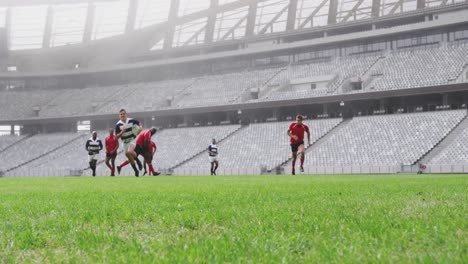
(235,219)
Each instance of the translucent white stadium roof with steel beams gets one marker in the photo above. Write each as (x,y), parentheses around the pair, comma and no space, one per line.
(50,23)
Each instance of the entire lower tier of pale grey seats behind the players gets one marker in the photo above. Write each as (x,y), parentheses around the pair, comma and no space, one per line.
(382,140)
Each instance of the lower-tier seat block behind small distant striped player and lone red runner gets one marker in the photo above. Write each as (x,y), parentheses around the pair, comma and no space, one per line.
(263,144)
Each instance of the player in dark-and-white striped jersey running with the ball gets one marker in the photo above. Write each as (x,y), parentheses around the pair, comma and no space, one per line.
(124,130)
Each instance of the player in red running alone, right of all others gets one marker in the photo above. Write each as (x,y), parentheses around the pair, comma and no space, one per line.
(296,133)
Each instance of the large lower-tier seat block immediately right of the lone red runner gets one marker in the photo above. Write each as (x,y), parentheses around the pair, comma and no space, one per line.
(398,139)
